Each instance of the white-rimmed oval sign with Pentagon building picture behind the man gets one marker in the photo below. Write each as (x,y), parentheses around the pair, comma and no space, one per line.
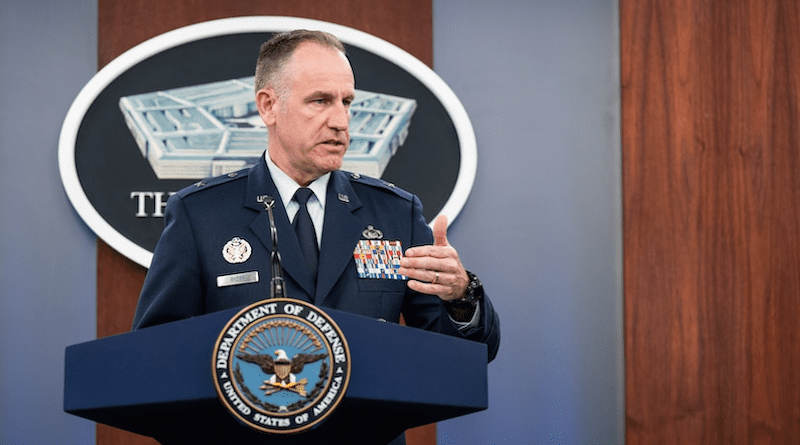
(195,119)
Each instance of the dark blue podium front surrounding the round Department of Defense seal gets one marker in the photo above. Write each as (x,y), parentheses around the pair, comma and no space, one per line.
(158,382)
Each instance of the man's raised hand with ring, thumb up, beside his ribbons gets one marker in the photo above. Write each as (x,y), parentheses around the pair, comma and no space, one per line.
(435,269)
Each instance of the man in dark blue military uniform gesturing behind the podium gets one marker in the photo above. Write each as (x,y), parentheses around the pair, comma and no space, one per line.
(214,252)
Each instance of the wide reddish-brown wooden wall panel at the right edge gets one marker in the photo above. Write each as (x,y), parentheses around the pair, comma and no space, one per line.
(711,202)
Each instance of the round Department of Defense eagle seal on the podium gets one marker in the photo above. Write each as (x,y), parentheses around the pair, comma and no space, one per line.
(281,365)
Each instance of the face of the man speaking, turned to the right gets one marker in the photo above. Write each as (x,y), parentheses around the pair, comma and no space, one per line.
(309,124)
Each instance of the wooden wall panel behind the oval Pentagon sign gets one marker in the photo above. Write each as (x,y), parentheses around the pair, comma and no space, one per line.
(124,24)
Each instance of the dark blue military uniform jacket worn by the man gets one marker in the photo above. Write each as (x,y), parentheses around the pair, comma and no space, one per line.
(201,219)
